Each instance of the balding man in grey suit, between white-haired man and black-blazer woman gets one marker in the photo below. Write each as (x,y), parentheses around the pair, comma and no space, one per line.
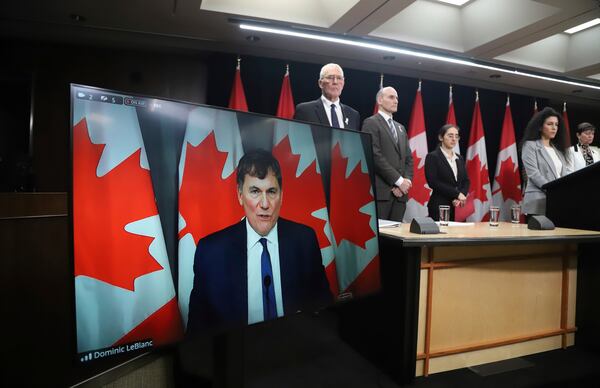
(392,156)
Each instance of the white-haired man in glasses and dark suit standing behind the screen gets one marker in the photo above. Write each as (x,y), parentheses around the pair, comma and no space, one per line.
(328,110)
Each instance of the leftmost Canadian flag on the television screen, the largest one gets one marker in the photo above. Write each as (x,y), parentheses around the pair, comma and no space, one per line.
(124,289)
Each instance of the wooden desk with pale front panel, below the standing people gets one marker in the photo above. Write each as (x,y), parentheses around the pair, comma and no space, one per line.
(484,294)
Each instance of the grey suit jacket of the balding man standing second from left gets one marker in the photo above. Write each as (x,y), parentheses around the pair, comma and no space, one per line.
(392,159)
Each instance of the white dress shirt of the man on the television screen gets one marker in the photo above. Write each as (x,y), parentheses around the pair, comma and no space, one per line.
(255,281)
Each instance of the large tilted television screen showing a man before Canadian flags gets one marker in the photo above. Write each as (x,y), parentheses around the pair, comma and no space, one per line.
(156,197)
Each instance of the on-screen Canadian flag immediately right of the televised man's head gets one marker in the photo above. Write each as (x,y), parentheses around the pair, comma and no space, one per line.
(304,195)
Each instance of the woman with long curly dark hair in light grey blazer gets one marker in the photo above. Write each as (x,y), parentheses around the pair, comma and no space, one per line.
(543,149)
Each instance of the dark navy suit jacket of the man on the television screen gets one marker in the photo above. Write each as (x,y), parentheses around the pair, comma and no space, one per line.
(219,297)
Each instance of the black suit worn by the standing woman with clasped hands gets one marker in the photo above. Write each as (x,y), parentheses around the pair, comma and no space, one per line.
(441,180)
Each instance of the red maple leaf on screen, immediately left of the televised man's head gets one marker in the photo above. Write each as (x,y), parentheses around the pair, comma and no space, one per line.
(207,202)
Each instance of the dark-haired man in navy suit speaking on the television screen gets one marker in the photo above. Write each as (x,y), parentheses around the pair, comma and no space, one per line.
(260,268)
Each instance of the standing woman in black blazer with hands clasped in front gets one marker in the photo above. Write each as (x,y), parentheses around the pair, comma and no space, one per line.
(446,174)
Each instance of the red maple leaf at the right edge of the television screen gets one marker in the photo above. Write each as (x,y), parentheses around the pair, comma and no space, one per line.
(348,195)
